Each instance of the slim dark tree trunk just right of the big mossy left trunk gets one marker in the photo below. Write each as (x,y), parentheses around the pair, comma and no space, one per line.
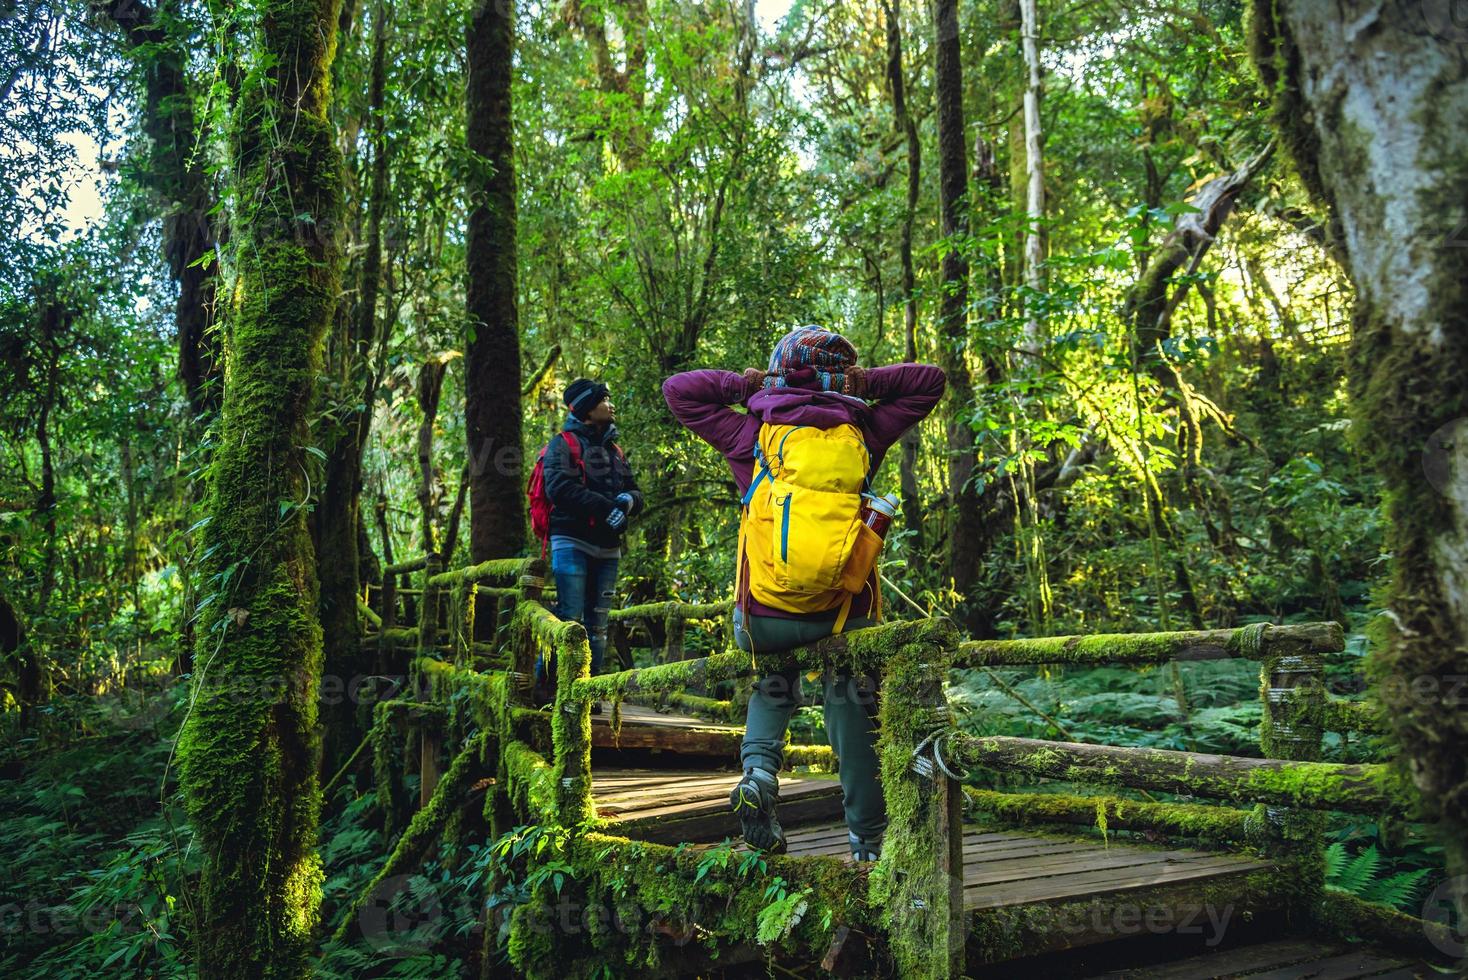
(338,519)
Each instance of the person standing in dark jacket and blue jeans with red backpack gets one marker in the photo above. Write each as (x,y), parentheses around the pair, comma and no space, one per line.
(582,494)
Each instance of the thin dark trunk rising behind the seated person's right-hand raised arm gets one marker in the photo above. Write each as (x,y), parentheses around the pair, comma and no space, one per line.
(898,86)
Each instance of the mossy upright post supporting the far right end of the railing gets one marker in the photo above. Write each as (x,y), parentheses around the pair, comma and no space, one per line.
(1293,686)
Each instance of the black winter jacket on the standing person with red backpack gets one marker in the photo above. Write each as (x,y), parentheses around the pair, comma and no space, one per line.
(581,500)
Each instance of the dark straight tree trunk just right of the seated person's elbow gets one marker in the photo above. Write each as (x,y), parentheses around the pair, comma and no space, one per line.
(965,530)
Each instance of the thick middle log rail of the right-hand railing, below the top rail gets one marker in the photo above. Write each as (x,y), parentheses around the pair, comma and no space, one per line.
(1372,790)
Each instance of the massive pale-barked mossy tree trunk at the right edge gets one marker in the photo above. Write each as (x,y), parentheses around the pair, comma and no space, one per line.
(1385,150)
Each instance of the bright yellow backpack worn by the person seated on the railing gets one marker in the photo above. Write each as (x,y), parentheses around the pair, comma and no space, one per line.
(802,539)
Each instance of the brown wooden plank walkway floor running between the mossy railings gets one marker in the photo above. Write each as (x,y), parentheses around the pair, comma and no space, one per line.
(1006,872)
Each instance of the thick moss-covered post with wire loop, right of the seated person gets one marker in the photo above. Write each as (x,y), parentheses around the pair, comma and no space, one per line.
(920,878)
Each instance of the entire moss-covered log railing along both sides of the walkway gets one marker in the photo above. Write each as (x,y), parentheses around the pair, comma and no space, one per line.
(482,629)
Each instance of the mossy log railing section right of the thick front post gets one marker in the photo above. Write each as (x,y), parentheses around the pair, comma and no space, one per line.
(1278,800)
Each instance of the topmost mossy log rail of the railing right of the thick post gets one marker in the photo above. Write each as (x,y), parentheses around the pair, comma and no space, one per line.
(1150,648)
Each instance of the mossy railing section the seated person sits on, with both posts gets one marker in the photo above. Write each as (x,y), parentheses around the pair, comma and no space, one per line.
(912,896)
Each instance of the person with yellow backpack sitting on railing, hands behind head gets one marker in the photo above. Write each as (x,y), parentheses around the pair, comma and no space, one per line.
(814,432)
